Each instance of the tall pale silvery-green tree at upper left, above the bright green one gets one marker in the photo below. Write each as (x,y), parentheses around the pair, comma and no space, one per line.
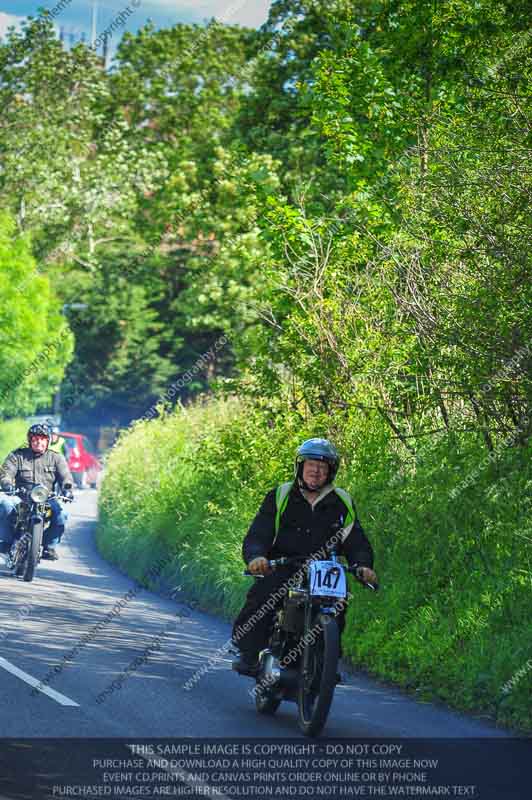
(68,172)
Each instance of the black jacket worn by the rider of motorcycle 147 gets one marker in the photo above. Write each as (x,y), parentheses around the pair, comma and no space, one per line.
(305,529)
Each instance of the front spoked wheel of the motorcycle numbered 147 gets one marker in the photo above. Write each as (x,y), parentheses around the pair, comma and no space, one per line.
(315,692)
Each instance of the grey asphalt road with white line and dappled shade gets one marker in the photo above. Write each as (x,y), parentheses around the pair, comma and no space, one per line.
(44,621)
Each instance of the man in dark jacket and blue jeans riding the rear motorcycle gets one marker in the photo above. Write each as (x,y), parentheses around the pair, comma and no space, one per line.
(25,467)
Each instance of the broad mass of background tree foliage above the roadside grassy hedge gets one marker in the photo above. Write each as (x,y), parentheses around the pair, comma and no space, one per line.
(343,193)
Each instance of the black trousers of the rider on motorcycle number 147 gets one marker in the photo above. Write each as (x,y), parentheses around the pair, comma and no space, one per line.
(254,623)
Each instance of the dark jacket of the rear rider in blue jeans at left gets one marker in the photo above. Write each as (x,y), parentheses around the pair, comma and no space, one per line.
(24,468)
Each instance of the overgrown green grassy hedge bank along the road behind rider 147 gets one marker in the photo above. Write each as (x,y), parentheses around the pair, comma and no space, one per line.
(453,620)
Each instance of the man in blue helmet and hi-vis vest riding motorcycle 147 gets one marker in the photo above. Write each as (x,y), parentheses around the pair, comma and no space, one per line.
(313,512)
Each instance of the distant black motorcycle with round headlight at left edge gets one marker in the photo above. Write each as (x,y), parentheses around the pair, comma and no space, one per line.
(33,516)
